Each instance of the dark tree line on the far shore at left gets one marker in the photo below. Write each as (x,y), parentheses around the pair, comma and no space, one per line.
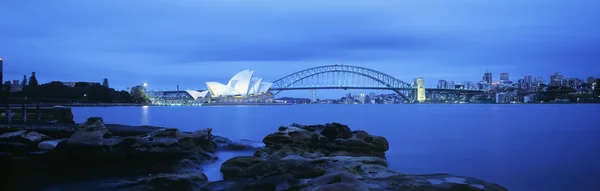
(81,92)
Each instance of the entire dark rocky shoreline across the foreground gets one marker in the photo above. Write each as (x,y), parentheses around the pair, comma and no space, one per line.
(297,157)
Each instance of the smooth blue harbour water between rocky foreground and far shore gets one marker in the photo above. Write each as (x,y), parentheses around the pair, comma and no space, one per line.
(521,147)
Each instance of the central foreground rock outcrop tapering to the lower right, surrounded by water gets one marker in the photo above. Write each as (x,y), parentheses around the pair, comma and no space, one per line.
(330,157)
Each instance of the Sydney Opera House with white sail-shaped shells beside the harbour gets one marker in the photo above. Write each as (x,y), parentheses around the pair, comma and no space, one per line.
(241,86)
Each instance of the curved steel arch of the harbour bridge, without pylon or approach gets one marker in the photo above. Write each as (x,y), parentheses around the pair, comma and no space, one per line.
(383,81)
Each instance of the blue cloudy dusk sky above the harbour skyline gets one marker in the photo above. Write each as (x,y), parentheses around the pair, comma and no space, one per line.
(166,43)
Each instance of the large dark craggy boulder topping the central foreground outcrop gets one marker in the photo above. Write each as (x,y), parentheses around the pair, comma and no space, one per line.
(320,141)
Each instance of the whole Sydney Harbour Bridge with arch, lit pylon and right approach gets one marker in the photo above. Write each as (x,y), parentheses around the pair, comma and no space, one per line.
(355,77)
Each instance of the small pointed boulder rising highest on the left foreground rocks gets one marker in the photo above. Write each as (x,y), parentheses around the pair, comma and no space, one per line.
(90,132)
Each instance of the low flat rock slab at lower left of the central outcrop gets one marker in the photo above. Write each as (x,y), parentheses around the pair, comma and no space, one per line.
(256,168)
